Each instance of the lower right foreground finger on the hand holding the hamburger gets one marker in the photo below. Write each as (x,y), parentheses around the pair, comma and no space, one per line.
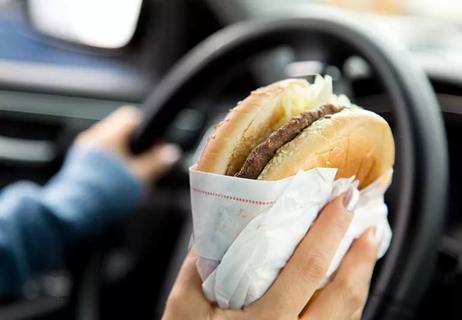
(350,287)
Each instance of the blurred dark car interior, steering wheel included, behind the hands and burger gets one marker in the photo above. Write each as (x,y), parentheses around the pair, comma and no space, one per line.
(65,65)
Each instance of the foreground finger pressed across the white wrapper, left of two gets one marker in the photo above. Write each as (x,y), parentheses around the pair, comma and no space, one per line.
(307,267)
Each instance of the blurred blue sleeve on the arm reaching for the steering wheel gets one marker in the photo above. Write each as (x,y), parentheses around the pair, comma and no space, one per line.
(37,224)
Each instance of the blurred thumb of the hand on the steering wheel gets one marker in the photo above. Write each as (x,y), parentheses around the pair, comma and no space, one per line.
(157,161)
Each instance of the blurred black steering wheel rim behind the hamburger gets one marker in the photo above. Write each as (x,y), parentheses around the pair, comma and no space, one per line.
(420,180)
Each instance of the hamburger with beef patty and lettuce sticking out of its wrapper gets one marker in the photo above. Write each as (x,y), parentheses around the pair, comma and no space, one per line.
(294,125)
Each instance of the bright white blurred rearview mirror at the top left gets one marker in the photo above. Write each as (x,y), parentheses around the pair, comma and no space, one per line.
(108,24)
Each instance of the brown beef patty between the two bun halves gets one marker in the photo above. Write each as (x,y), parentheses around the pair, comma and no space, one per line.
(265,151)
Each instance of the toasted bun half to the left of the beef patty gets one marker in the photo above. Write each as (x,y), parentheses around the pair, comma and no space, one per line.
(245,126)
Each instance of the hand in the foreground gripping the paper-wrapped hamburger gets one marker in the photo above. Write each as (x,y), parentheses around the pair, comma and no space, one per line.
(293,295)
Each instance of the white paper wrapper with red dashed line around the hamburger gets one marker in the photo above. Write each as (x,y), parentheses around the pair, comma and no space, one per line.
(245,231)
